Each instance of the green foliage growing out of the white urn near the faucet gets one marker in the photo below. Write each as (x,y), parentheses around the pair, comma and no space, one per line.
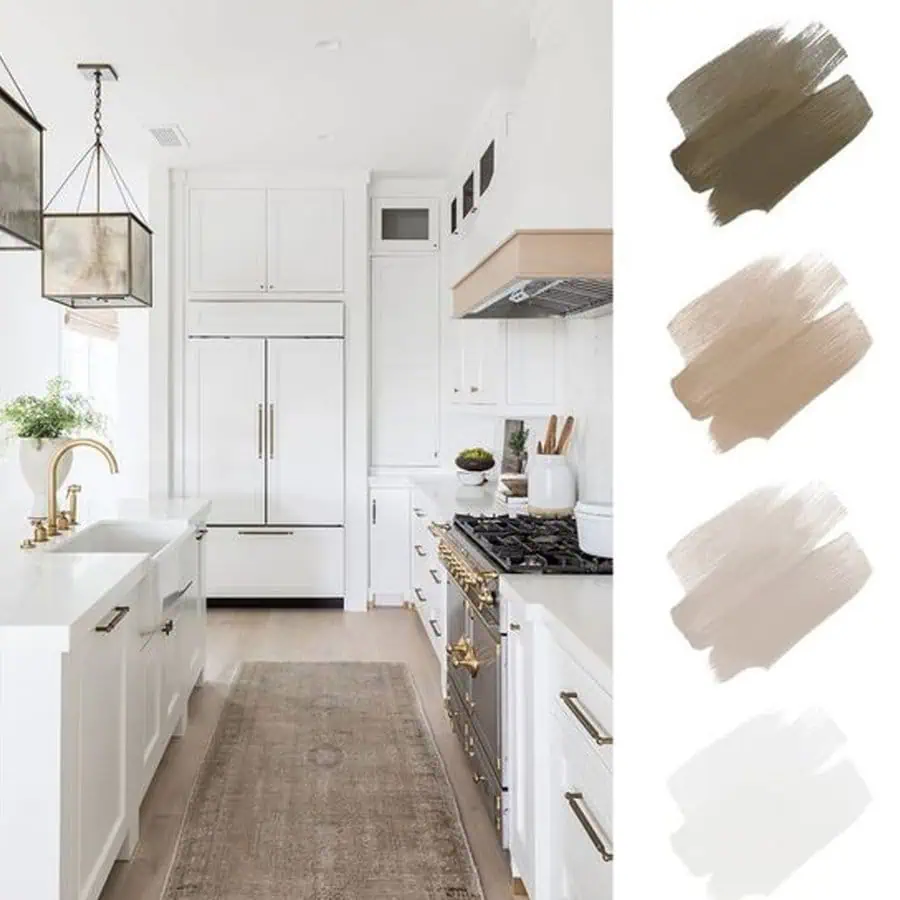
(60,413)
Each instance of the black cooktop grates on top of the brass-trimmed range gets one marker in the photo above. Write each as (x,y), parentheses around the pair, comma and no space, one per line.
(526,544)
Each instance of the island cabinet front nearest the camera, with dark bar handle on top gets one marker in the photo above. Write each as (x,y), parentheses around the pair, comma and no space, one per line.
(100,670)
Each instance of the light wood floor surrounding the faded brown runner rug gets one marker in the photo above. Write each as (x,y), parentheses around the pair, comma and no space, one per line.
(288,635)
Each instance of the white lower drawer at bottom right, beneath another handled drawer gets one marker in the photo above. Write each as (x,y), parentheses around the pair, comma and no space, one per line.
(581,804)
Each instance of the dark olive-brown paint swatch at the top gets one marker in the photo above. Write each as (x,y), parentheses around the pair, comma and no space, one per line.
(756,126)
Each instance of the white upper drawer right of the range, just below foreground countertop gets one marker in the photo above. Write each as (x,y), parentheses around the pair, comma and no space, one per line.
(578,697)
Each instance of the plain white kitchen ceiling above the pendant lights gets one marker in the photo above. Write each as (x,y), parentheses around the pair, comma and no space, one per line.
(244,81)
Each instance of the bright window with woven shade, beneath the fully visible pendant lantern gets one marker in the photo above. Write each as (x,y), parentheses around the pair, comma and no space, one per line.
(90,359)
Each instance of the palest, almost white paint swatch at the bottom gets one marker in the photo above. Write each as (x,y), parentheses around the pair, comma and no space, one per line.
(762,801)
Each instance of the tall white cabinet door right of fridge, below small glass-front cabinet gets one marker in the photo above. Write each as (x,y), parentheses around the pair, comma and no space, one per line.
(405,361)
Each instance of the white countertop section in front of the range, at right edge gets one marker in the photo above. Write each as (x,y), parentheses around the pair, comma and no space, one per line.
(577,608)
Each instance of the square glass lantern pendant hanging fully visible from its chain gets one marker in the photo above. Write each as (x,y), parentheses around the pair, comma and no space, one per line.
(97,259)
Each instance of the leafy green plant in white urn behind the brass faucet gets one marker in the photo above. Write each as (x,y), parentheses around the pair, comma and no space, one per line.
(43,425)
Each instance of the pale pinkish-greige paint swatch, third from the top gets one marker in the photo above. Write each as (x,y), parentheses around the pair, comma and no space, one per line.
(757,578)
